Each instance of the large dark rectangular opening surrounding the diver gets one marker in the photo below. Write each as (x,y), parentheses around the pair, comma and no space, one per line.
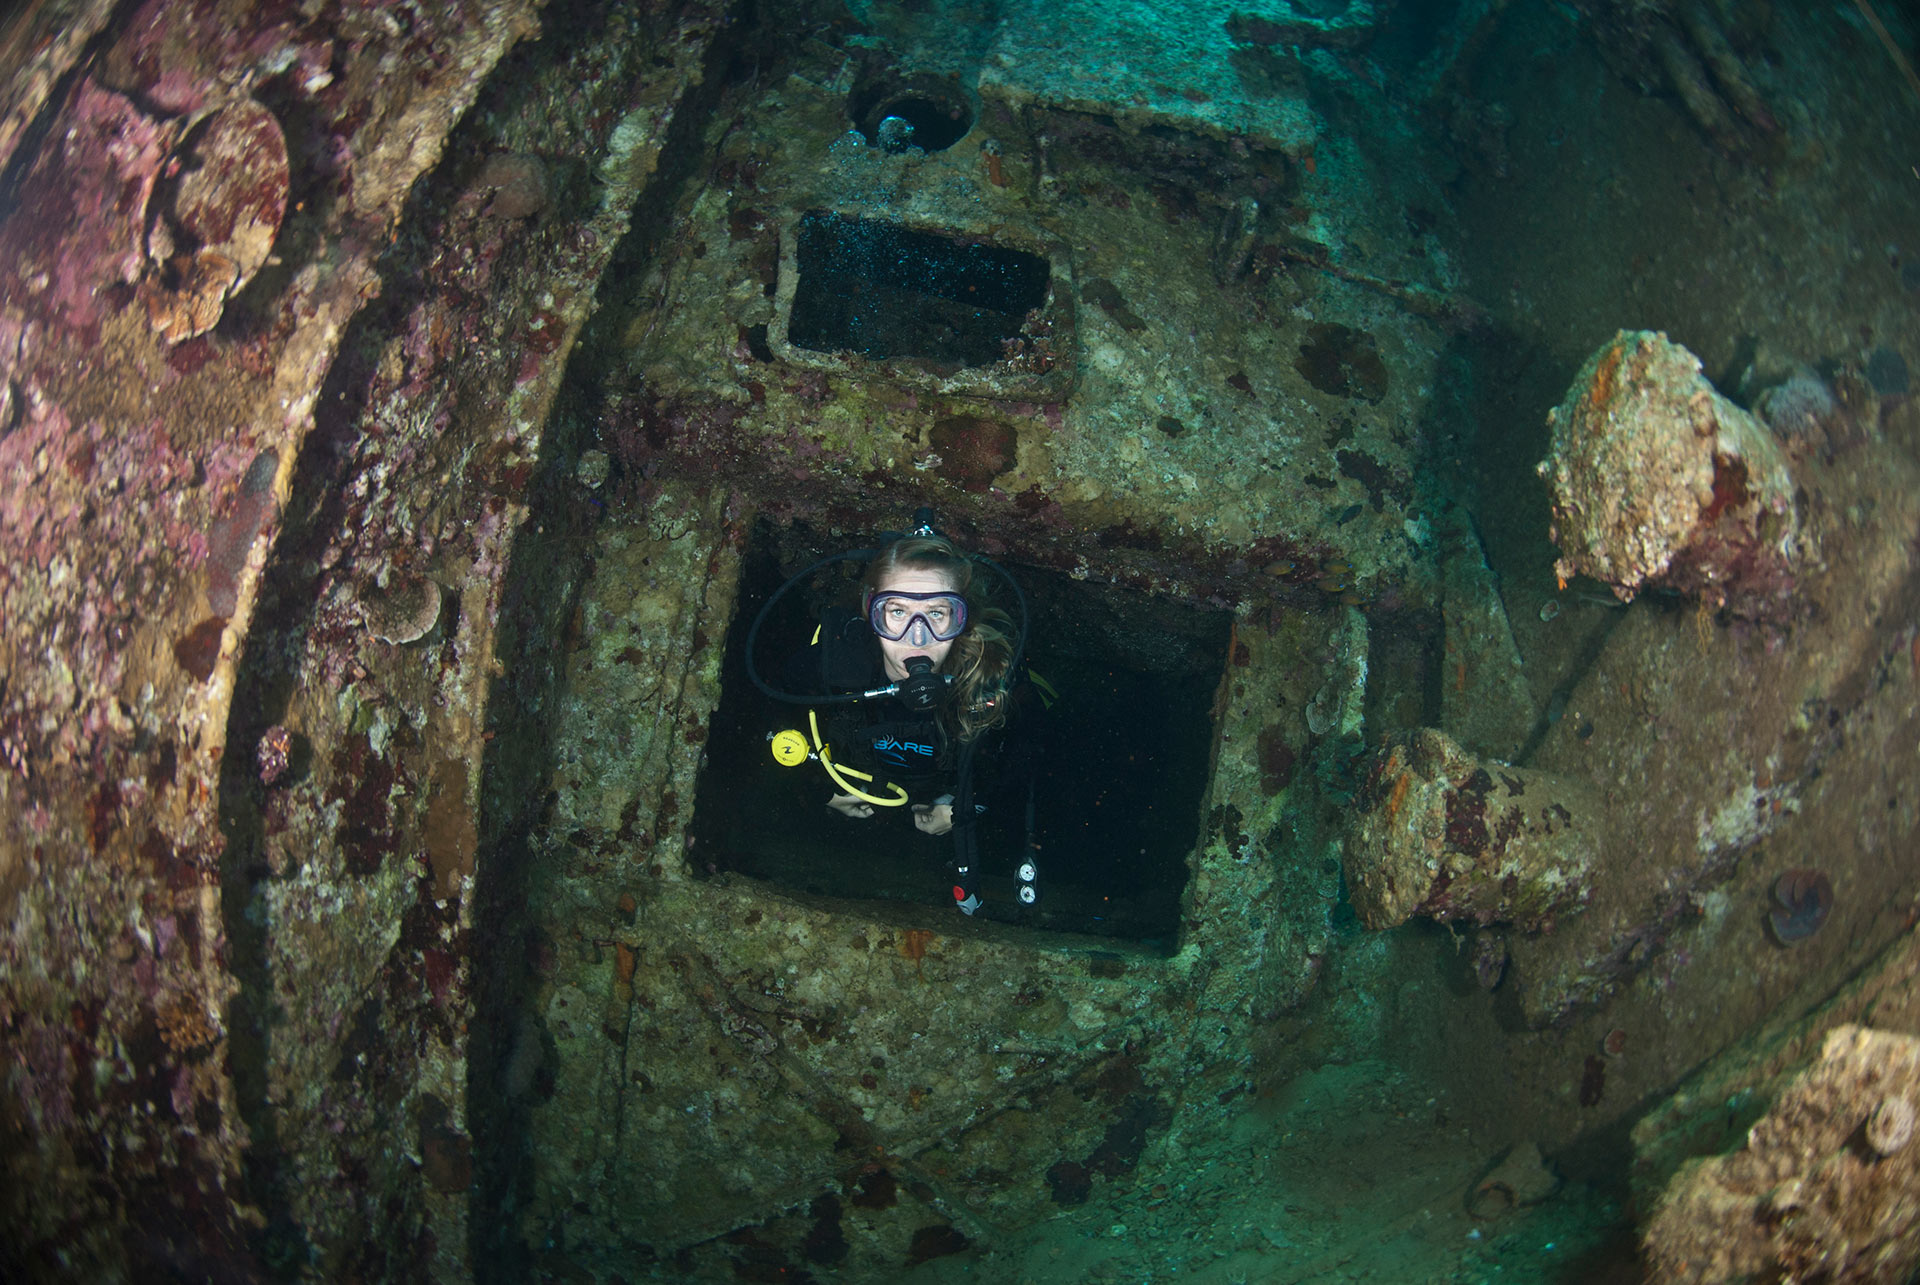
(1116,769)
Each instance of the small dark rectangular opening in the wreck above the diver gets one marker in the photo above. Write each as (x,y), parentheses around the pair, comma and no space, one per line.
(884,291)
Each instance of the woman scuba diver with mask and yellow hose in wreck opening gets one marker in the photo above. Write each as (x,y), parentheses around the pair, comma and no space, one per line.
(917,679)
